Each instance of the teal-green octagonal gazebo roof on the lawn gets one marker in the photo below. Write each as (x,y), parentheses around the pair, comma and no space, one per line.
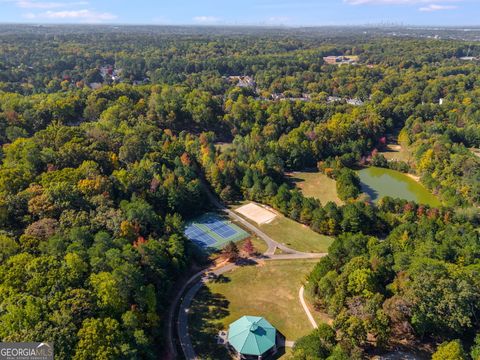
(251,335)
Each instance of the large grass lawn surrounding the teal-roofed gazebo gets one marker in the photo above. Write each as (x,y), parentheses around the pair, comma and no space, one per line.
(269,289)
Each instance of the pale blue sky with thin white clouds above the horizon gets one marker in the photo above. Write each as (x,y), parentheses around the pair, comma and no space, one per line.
(244,12)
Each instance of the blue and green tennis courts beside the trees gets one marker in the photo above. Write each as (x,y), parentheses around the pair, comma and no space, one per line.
(212,231)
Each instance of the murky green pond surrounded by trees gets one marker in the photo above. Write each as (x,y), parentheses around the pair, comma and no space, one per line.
(379,182)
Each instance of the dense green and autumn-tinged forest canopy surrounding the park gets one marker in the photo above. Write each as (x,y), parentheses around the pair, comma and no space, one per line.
(108,141)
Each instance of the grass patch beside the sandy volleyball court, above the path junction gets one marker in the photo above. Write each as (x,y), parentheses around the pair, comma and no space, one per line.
(296,235)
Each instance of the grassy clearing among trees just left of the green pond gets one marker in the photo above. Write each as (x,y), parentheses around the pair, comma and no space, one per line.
(316,185)
